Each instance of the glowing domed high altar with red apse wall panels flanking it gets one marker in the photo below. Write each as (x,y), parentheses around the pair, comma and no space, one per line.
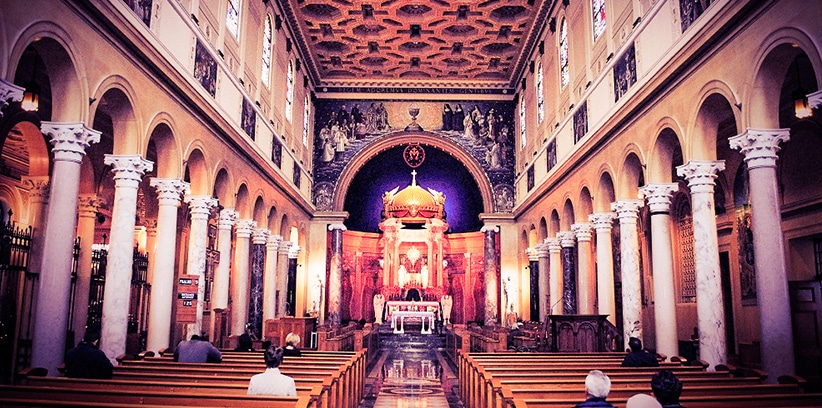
(413,259)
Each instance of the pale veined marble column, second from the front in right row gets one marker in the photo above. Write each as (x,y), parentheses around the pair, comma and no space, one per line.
(701,176)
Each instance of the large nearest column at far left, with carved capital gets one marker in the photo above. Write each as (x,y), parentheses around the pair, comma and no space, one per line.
(70,141)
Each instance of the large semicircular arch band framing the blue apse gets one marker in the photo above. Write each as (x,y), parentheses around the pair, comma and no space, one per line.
(424,138)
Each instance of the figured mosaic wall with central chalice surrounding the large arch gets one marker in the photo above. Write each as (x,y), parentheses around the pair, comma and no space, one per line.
(482,129)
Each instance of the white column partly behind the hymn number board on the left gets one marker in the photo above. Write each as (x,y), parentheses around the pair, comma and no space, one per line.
(200,209)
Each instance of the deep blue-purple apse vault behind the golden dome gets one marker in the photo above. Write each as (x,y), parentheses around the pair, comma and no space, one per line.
(439,171)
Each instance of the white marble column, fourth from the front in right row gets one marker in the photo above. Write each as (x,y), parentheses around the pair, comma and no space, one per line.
(628,214)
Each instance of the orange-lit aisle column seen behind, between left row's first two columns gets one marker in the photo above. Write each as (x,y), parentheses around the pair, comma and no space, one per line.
(86,223)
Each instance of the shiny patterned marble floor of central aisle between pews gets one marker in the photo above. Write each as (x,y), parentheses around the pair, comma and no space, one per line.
(411,378)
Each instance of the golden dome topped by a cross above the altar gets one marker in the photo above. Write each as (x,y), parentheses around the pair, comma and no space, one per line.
(413,204)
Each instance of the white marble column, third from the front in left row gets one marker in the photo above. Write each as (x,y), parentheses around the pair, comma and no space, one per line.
(170,193)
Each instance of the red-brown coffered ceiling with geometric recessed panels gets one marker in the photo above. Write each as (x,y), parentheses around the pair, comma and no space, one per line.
(415,46)
